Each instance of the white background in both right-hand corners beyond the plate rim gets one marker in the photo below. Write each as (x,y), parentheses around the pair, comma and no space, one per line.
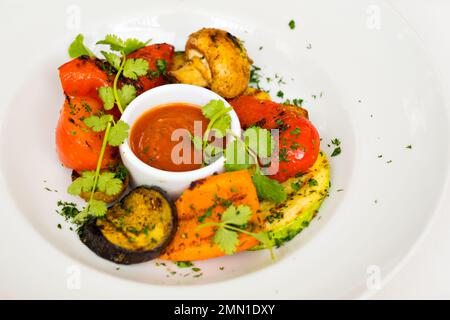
(426,273)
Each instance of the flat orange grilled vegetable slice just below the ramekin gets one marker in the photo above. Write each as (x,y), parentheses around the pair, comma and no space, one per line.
(203,202)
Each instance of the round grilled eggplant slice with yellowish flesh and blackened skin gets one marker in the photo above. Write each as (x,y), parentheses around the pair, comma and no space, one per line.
(134,230)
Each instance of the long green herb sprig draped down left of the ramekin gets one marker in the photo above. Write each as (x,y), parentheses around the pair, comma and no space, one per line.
(115,132)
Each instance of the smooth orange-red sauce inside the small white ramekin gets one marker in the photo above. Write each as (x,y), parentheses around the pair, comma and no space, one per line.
(150,136)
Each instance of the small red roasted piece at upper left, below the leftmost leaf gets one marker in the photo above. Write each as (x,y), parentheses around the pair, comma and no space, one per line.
(83,76)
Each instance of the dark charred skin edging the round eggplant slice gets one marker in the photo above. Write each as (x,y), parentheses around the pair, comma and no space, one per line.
(92,236)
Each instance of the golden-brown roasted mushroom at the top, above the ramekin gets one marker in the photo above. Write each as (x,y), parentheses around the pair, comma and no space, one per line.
(215,59)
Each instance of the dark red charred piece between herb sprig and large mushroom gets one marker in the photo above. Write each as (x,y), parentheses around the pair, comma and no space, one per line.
(152,54)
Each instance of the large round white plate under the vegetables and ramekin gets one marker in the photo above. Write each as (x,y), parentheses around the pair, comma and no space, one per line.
(379,94)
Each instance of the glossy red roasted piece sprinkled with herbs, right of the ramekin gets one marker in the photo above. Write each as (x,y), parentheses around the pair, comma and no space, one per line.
(299,141)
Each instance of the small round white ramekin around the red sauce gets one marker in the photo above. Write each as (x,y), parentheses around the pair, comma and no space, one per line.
(172,182)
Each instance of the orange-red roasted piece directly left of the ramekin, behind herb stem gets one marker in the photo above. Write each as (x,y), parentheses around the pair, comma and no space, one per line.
(78,147)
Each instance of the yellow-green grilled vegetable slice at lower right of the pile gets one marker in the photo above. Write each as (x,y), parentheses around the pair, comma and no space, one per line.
(305,195)
